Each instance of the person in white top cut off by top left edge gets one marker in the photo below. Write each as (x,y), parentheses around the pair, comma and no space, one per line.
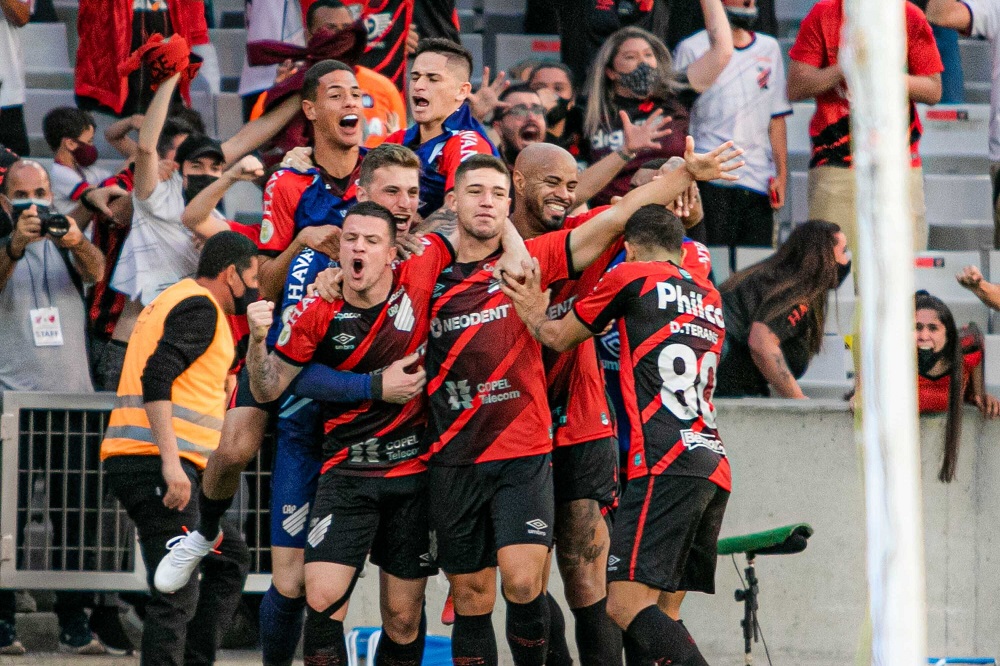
(13,132)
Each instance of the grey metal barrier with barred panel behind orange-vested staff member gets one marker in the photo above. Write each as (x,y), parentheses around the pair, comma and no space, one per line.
(59,527)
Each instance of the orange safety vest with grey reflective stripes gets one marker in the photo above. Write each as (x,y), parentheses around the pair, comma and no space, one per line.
(198,394)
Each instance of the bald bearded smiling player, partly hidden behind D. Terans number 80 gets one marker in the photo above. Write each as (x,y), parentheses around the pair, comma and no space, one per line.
(585,457)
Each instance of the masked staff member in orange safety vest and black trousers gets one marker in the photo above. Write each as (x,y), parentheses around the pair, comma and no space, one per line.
(166,422)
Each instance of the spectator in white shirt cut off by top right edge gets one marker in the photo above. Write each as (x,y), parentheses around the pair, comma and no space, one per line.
(979,18)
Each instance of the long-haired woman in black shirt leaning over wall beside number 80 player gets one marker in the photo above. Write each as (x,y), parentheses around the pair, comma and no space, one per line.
(775,313)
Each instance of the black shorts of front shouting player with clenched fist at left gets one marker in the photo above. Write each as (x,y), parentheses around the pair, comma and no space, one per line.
(353,516)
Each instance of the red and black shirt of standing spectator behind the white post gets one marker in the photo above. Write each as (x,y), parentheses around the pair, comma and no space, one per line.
(818,45)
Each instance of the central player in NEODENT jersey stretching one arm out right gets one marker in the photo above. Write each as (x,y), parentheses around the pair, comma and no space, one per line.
(490,473)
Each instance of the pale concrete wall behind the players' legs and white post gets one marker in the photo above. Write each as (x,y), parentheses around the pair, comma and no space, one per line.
(797,462)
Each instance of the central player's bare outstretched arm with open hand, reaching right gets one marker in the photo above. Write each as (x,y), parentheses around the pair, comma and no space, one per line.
(590,240)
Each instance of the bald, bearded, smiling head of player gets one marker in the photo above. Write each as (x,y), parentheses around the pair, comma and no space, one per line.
(545,179)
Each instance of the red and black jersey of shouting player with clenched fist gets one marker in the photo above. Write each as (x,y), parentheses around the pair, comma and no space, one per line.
(371,438)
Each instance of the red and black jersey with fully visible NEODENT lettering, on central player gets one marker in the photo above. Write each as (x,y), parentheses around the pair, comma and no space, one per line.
(486,381)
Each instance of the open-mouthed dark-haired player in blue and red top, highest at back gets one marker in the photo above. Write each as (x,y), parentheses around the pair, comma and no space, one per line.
(445,133)
